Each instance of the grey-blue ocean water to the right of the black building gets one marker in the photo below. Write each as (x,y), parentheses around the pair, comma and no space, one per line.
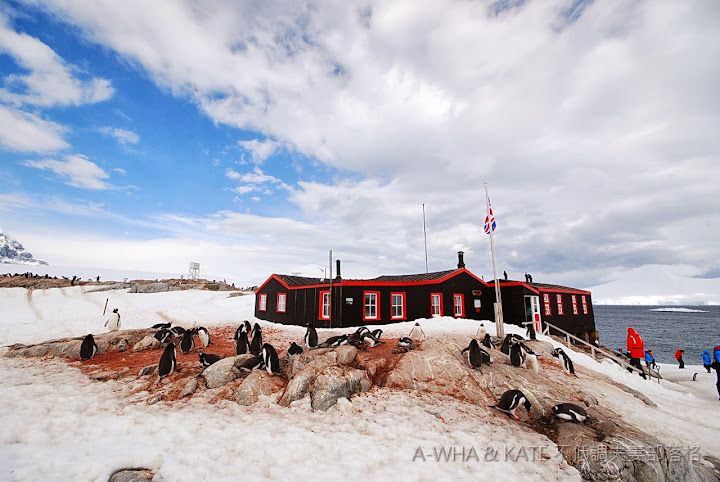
(664,332)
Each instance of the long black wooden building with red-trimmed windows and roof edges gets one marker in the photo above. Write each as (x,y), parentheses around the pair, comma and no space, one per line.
(297,300)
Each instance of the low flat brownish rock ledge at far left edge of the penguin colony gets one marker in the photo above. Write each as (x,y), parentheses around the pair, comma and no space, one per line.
(70,347)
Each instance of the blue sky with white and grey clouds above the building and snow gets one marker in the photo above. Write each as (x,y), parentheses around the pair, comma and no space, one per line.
(253,137)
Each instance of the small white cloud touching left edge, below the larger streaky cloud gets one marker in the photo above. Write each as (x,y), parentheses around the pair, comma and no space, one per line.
(25,132)
